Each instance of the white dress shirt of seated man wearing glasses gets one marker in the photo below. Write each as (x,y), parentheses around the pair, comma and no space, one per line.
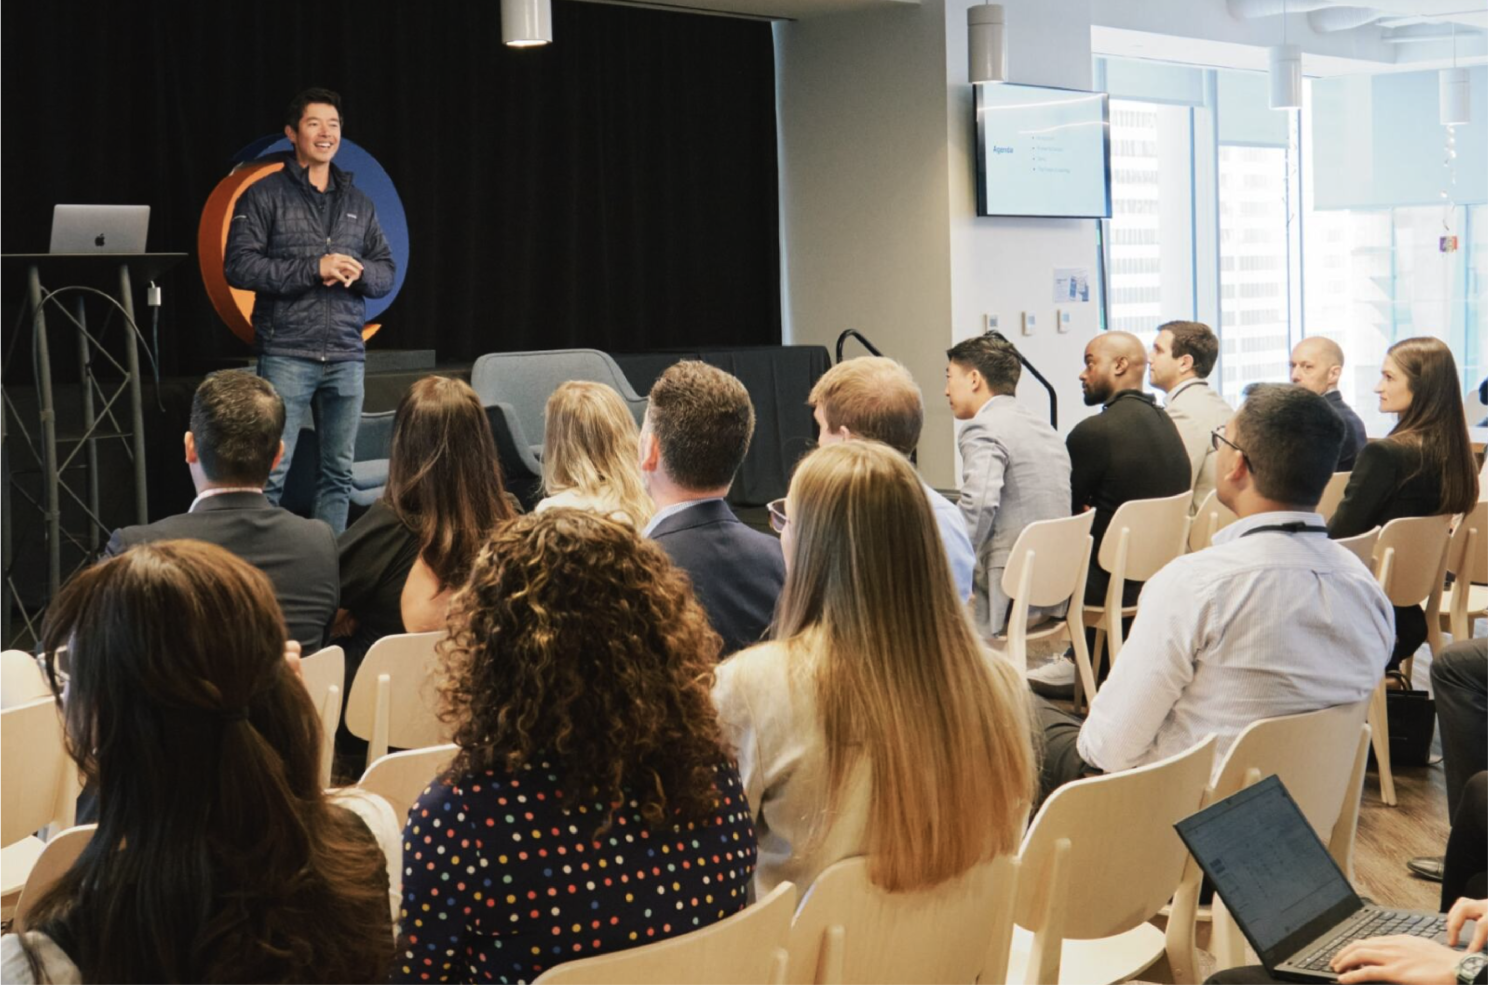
(1263,624)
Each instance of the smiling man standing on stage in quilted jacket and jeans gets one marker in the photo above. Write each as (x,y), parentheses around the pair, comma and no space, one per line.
(309,245)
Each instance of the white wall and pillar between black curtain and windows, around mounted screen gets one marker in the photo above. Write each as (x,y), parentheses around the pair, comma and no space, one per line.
(879,208)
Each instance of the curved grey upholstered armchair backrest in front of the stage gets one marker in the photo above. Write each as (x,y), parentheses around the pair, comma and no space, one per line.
(526,382)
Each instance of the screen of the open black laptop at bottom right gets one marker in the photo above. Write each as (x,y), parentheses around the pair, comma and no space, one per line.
(1270,868)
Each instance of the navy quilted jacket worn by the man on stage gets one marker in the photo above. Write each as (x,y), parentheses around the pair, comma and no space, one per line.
(280,230)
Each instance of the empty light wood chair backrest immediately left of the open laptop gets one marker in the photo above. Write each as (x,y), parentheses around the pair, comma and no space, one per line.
(1102,856)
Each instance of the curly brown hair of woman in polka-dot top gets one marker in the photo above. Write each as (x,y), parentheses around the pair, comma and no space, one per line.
(580,641)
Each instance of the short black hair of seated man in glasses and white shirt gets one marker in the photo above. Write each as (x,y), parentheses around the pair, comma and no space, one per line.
(1292,438)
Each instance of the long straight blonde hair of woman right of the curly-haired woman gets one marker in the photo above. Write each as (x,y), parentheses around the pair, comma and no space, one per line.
(902,679)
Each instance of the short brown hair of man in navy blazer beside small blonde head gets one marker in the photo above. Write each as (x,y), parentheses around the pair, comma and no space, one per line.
(703,422)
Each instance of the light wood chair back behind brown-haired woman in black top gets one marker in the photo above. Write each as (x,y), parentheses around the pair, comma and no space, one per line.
(395,699)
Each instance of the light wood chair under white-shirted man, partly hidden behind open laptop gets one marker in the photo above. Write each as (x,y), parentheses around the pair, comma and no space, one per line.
(1321,757)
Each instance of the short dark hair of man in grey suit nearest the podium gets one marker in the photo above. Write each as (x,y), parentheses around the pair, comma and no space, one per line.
(237,420)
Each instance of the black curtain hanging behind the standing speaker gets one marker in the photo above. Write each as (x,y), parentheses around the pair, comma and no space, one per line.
(617,190)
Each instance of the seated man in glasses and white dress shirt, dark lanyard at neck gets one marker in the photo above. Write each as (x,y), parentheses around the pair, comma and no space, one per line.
(1273,620)
